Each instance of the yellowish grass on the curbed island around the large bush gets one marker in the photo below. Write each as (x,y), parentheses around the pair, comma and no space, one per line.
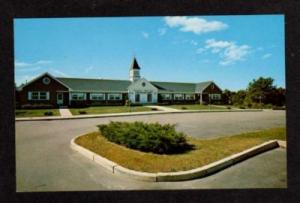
(205,152)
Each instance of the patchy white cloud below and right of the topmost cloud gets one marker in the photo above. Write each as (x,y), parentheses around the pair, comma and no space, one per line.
(228,51)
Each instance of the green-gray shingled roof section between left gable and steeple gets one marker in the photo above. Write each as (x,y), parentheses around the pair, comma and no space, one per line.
(79,84)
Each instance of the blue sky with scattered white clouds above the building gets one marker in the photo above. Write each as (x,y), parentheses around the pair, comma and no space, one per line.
(229,50)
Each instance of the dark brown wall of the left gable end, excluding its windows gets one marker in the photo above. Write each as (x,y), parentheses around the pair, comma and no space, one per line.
(38,85)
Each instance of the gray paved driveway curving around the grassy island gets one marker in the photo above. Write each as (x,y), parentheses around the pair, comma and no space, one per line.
(45,162)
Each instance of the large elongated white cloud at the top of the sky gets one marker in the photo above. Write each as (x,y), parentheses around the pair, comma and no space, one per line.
(194,24)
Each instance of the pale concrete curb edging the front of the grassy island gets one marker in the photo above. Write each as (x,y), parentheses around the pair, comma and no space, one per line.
(180,175)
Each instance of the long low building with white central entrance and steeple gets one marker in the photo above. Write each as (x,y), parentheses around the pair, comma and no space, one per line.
(47,90)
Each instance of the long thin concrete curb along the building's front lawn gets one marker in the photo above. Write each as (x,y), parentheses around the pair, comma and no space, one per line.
(129,114)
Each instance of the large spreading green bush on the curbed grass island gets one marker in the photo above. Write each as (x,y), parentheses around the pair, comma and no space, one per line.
(156,138)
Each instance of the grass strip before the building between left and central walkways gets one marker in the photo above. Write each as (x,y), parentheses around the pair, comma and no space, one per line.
(109,109)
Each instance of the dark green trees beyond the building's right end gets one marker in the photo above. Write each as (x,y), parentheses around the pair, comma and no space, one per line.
(260,92)
